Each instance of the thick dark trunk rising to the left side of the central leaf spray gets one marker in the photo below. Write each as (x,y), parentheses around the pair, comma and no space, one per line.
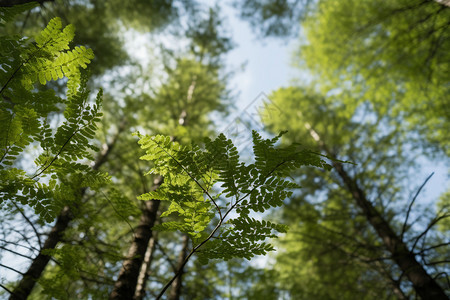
(125,285)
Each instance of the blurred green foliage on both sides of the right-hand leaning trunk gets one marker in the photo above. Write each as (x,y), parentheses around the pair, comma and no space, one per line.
(329,236)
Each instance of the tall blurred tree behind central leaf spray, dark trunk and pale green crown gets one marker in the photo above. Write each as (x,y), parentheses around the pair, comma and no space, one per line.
(192,91)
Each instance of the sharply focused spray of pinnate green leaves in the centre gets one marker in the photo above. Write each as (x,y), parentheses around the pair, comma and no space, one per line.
(211,184)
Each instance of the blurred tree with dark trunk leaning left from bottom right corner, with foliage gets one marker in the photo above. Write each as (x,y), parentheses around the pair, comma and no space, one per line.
(357,216)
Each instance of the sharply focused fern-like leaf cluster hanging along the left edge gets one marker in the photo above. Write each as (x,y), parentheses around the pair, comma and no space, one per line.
(25,114)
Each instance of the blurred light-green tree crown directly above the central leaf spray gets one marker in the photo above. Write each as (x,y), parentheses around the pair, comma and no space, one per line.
(192,89)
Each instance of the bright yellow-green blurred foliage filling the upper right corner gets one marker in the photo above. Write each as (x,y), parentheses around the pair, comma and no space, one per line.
(394,54)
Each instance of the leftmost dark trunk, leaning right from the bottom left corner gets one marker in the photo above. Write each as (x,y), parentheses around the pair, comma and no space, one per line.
(37,267)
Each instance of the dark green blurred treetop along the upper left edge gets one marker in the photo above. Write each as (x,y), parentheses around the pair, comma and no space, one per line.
(102,26)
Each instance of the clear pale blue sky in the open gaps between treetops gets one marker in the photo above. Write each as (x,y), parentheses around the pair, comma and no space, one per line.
(267,68)
